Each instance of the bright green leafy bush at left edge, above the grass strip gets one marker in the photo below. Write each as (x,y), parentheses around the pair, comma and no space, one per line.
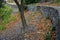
(5,13)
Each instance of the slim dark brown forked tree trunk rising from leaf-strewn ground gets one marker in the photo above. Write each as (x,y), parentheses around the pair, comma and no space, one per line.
(21,9)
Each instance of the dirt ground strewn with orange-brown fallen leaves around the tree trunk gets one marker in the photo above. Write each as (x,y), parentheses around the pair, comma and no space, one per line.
(36,29)
